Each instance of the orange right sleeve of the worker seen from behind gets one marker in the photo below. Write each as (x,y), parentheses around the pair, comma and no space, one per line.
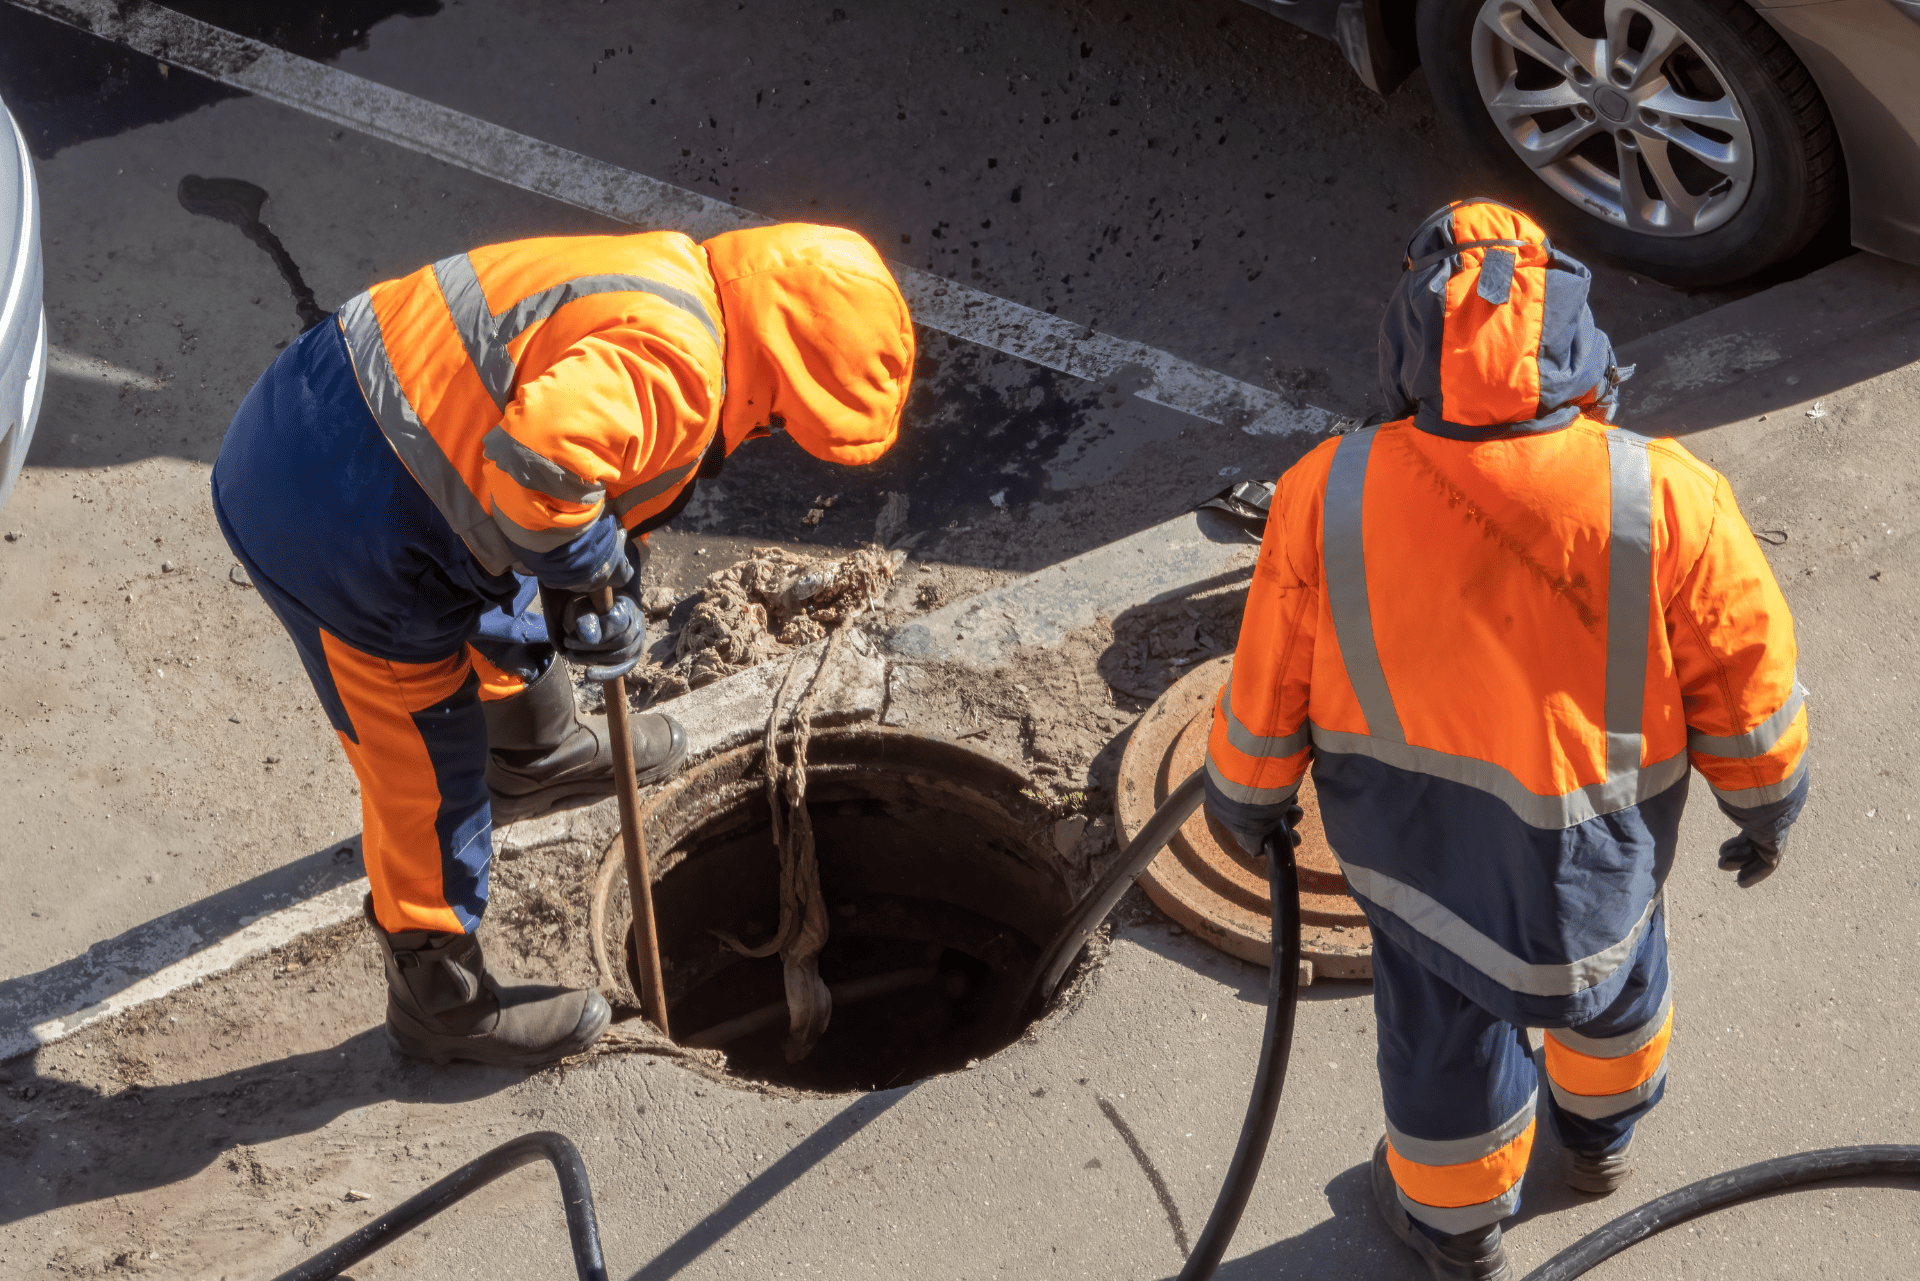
(1733,644)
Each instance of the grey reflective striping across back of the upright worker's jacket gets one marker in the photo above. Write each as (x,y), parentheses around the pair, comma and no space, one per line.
(1627,783)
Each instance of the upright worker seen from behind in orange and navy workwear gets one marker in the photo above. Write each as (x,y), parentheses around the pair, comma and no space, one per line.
(1500,631)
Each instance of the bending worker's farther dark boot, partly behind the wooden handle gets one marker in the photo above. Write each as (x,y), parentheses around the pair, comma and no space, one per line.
(544,758)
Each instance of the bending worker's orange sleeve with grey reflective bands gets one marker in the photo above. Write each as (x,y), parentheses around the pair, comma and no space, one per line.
(596,420)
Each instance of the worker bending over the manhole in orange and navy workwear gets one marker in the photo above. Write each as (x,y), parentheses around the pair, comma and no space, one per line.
(506,423)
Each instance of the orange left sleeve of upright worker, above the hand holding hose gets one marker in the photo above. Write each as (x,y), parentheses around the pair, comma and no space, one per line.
(1260,744)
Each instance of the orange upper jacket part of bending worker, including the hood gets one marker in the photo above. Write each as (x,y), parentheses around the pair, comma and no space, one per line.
(539,385)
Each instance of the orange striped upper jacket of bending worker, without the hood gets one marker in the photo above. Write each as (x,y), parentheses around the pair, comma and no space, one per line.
(535,385)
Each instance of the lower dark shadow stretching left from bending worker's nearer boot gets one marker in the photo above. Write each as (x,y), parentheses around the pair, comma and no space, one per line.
(74,1144)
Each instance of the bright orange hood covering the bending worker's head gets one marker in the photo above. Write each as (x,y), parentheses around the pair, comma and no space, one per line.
(817,335)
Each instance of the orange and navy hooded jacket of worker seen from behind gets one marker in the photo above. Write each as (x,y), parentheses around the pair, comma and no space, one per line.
(1500,646)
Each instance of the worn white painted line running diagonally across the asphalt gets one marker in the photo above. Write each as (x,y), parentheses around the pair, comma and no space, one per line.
(587,183)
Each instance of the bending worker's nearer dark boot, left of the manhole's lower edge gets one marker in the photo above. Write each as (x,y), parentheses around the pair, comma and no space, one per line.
(443,1003)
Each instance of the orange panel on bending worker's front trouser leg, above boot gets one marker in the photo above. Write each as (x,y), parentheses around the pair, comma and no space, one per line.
(400,788)
